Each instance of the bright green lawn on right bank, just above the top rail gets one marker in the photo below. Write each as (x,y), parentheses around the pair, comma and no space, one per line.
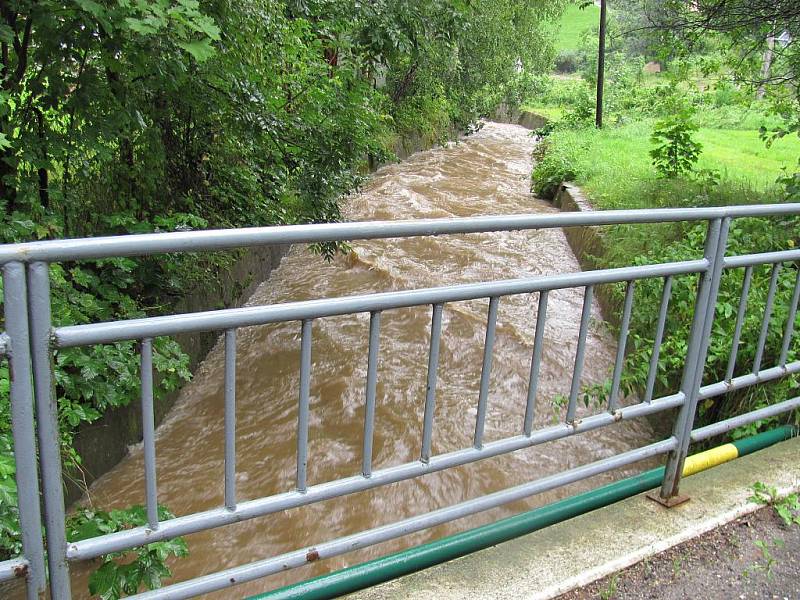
(613,165)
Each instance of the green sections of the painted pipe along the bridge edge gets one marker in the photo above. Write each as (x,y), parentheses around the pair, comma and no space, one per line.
(395,565)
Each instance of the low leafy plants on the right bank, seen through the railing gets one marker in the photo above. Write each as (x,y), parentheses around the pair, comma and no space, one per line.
(745,236)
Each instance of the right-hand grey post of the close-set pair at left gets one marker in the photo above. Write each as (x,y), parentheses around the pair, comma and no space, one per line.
(47,422)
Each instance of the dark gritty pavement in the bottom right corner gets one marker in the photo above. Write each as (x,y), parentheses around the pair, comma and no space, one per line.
(756,556)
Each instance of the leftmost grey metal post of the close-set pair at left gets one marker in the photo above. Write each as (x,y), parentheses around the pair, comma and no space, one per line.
(22,426)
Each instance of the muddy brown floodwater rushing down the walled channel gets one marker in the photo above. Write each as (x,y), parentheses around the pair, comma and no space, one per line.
(485,173)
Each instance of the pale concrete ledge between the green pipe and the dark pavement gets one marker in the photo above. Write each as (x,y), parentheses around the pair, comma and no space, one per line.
(574,553)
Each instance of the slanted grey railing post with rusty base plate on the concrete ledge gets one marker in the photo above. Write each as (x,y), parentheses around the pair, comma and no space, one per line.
(705,306)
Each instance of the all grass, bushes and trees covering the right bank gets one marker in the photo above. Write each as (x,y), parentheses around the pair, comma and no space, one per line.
(715,115)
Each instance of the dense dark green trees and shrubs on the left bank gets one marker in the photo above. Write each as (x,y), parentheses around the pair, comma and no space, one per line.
(120,116)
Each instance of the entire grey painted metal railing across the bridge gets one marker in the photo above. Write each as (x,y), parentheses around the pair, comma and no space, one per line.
(31,340)
